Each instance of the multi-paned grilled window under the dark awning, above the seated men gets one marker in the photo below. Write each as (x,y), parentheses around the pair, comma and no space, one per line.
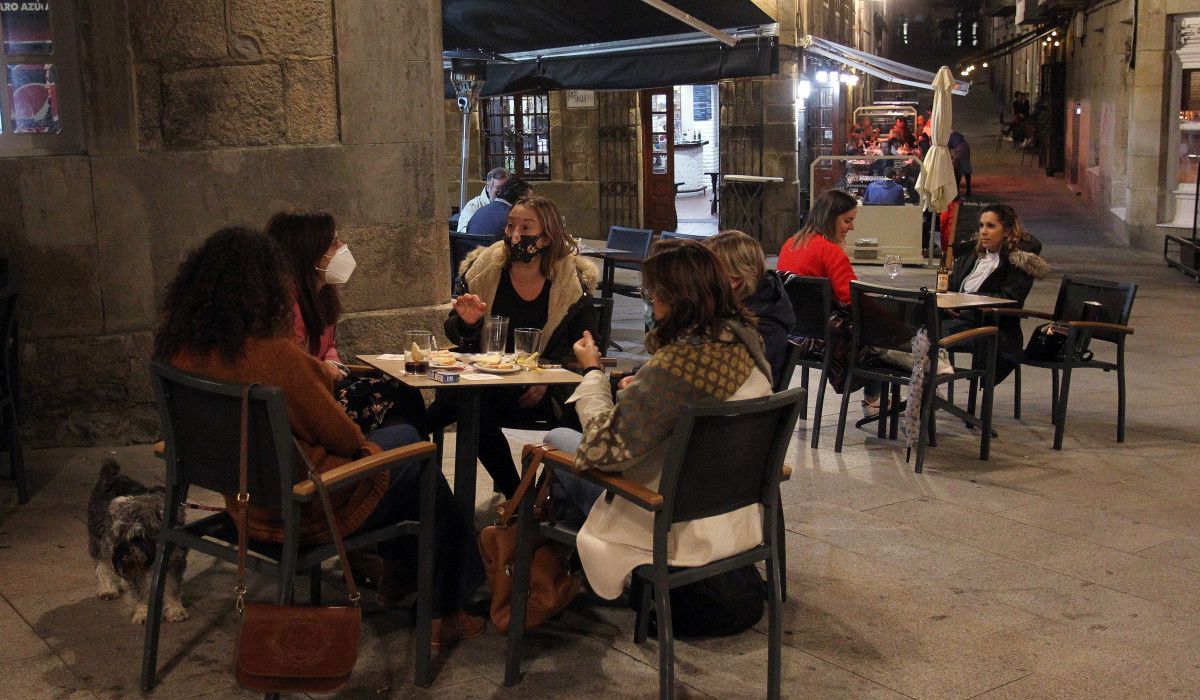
(517,135)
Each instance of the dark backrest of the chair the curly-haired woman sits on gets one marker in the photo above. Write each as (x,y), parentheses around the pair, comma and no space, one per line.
(202,426)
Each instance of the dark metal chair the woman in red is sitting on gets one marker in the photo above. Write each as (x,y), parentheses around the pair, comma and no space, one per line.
(813,304)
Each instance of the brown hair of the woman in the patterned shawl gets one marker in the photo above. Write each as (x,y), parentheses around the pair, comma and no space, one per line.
(692,280)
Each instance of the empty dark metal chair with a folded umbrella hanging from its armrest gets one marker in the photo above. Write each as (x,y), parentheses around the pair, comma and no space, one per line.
(886,319)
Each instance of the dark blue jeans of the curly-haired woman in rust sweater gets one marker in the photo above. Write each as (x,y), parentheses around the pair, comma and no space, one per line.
(458,569)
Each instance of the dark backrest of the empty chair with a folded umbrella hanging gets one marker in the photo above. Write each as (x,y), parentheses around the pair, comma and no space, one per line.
(890,319)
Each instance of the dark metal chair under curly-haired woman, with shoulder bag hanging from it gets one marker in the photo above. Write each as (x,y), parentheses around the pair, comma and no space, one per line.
(201,421)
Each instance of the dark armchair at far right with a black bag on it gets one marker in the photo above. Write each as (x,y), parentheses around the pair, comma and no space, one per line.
(1088,310)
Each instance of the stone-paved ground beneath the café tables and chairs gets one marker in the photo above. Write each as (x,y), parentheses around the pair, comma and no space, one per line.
(1039,573)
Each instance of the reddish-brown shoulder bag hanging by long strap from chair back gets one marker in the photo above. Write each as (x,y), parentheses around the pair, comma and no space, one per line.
(293,649)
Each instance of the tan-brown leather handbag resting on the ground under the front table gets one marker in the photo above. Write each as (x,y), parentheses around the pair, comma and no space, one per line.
(551,585)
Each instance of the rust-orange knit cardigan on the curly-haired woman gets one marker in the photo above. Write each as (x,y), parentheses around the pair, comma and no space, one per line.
(326,434)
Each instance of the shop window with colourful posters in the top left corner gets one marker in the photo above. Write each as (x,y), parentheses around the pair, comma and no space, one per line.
(39,104)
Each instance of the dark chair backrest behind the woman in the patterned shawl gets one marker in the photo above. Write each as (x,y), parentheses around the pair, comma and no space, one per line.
(727,456)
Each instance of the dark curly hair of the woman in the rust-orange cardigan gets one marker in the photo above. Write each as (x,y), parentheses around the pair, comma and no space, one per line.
(232,289)
